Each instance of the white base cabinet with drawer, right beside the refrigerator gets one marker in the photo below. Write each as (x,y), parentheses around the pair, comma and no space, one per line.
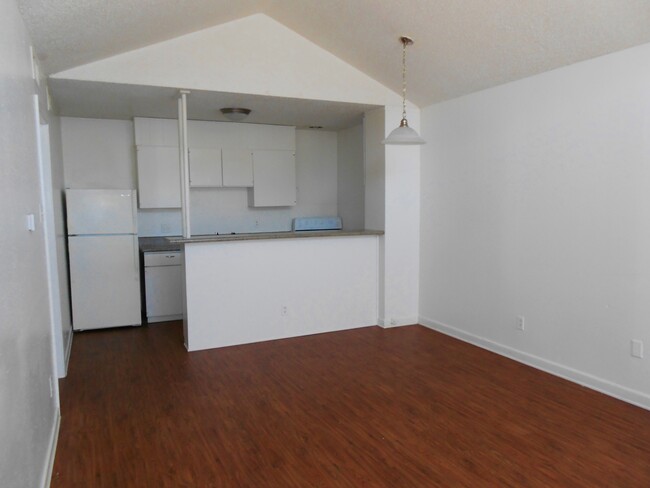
(163,283)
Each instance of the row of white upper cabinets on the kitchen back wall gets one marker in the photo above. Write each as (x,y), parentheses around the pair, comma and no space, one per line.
(255,156)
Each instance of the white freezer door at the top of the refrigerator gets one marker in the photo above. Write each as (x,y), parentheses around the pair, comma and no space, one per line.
(101,212)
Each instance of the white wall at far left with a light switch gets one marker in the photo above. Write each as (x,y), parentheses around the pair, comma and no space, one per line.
(28,412)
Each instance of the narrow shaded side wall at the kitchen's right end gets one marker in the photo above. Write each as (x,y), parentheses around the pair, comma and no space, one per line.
(351,180)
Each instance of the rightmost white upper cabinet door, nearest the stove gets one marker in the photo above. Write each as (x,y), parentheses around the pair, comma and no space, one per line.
(274,178)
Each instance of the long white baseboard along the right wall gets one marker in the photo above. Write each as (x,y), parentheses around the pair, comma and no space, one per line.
(628,395)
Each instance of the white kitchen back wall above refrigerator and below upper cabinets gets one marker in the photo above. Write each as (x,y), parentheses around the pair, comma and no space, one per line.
(100,153)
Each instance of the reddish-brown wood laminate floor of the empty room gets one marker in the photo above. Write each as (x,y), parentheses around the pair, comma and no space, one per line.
(403,407)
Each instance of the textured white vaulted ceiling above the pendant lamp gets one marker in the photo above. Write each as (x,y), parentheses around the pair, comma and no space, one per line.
(461,46)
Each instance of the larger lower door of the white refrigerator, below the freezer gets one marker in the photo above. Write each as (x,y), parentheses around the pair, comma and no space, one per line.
(105,281)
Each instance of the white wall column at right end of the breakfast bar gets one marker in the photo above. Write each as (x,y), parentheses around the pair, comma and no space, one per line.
(392,204)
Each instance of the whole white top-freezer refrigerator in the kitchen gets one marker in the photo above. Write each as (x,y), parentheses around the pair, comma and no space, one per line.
(104,258)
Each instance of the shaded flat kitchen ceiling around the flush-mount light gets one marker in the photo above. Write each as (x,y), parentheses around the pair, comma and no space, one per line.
(116,101)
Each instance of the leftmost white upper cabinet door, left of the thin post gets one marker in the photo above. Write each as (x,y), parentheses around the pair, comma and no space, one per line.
(159,179)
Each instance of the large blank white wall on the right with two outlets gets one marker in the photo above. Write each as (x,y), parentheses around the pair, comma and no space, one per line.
(536,202)
